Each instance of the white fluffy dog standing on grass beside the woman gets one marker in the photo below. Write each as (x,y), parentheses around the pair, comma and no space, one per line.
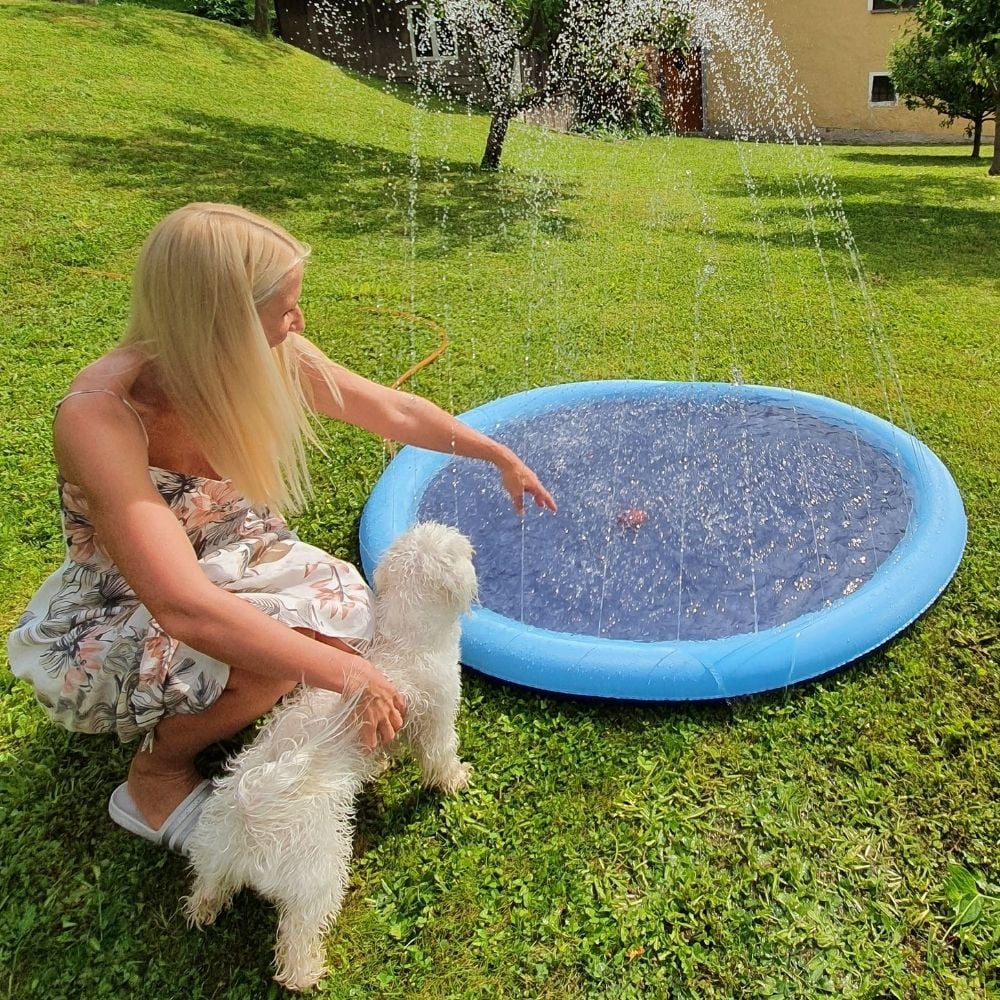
(282,818)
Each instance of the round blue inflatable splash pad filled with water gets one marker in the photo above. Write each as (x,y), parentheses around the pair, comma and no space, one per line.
(712,540)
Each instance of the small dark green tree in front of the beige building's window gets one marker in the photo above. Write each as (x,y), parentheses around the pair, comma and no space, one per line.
(944,83)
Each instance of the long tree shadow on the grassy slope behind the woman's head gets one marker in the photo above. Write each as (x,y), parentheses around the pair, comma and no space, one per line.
(356,189)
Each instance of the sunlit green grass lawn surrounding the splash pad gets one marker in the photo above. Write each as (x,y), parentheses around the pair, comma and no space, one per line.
(836,839)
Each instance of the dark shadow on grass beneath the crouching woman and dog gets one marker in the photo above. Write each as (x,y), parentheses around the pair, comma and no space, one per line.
(91,910)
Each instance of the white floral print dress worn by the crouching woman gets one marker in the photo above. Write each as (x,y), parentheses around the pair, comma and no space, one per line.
(100,663)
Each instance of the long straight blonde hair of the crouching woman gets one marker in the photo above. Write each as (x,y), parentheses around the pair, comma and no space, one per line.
(202,274)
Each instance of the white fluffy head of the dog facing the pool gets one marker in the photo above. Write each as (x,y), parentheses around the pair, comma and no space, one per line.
(430,562)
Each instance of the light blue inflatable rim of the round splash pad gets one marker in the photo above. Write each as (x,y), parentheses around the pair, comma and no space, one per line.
(908,583)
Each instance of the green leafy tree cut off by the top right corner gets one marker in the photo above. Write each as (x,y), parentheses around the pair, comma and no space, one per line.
(971,27)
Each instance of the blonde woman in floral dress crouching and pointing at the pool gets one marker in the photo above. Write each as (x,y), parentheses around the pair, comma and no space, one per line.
(185,608)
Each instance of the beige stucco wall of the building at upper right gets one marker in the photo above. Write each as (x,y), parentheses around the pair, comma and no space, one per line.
(833,46)
